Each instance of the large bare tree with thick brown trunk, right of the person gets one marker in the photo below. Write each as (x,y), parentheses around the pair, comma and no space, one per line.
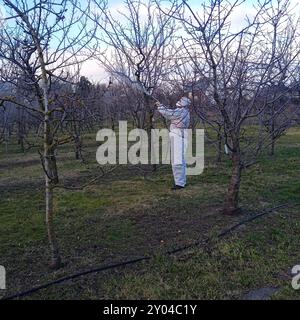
(240,66)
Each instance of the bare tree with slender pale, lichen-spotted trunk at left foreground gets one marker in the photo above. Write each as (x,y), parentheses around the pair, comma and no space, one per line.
(41,42)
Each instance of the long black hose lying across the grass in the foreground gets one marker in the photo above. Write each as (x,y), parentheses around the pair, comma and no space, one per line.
(146,258)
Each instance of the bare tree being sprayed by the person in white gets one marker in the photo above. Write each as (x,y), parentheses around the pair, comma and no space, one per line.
(139,52)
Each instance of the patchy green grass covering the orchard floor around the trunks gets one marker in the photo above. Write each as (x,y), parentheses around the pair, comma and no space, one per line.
(124,216)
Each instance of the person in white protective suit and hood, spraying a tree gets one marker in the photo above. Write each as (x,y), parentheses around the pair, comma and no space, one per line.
(180,120)
